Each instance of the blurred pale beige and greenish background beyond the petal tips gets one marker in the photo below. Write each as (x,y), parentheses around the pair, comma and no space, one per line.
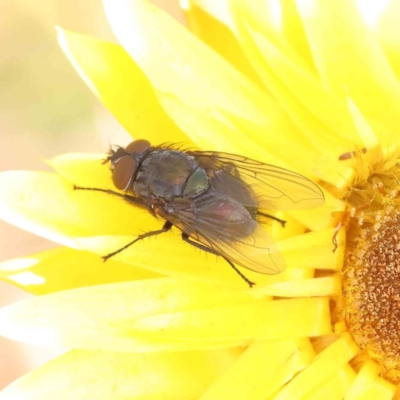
(45,110)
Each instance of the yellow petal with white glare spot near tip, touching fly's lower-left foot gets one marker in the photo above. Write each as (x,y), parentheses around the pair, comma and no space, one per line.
(64,268)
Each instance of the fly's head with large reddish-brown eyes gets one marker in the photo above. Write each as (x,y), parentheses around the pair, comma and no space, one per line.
(124,162)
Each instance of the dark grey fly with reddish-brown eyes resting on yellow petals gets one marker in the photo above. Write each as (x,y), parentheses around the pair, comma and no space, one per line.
(216,199)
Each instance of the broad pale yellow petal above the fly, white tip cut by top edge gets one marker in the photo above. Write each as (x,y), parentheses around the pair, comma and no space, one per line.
(191,70)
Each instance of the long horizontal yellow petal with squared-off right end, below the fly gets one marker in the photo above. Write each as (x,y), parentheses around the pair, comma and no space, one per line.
(303,318)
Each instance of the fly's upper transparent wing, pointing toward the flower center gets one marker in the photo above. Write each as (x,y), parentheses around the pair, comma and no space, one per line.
(255,184)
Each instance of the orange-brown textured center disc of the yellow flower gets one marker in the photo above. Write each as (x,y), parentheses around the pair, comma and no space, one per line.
(371,285)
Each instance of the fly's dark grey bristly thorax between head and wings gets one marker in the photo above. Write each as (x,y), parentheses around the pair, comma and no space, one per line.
(168,174)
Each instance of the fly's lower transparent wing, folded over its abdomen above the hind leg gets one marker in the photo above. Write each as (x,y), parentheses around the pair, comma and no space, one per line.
(227,227)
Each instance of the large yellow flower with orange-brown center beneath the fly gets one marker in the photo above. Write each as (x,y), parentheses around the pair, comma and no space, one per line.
(301,84)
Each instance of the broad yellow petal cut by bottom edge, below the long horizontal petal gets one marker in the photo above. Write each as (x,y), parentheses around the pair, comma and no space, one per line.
(259,371)
